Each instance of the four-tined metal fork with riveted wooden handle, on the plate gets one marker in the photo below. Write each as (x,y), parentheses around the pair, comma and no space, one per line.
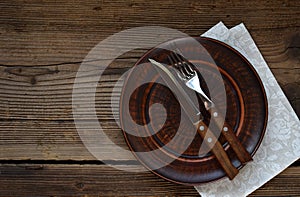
(188,74)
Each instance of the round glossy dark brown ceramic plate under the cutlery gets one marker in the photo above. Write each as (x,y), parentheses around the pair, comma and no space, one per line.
(246,107)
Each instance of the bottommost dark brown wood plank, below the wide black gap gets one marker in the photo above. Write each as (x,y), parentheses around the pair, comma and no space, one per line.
(74,180)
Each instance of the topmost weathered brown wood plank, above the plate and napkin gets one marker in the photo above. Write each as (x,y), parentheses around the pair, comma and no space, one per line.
(46,32)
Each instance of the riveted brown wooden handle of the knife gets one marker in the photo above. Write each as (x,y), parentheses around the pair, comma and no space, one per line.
(217,149)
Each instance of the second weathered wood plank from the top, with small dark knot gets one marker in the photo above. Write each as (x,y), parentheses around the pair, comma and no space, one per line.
(50,97)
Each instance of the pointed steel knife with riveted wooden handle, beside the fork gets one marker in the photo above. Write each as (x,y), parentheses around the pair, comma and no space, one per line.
(194,114)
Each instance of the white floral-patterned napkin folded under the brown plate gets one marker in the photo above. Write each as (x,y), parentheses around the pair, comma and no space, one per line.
(281,144)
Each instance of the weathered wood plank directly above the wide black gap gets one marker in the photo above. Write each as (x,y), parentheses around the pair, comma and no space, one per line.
(50,140)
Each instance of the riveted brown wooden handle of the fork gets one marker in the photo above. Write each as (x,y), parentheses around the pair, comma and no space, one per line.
(227,131)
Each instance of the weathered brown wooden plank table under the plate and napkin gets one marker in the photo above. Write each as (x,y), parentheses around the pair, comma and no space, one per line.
(42,46)
